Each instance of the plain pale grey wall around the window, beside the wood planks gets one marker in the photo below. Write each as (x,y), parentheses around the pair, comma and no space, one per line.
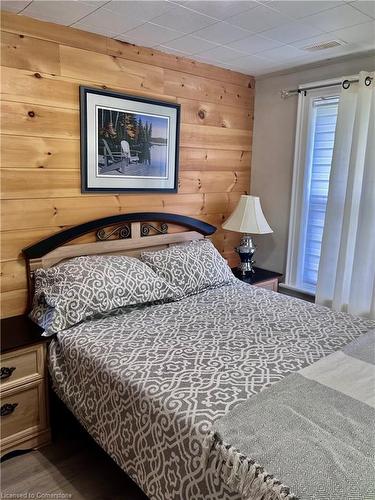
(273,150)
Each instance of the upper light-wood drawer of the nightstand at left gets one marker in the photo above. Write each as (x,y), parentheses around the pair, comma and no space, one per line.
(22,366)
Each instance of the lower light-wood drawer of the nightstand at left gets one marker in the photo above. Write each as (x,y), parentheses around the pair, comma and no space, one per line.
(23,412)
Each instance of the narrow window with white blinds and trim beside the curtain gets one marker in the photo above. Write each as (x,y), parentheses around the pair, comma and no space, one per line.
(316,124)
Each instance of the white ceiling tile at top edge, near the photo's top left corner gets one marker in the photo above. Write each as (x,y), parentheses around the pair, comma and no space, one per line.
(61,12)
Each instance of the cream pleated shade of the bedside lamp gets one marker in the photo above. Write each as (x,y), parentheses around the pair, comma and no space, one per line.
(248,217)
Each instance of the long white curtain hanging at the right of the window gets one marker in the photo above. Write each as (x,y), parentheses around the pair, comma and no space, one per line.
(346,278)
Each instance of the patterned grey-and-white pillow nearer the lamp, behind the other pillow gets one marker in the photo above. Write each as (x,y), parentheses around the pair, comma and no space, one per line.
(191,267)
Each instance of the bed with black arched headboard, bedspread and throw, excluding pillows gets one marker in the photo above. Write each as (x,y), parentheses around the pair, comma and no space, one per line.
(179,394)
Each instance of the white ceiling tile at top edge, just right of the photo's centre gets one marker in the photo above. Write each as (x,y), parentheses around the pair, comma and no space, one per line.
(220,9)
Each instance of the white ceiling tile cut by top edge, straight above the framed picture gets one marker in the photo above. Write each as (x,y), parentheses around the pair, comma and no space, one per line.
(143,9)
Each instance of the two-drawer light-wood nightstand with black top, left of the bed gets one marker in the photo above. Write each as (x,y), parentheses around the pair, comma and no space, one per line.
(23,386)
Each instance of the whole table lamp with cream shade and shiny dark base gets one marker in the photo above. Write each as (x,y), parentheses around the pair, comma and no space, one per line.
(247,218)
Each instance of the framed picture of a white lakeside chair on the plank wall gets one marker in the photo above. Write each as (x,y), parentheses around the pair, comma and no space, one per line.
(128,143)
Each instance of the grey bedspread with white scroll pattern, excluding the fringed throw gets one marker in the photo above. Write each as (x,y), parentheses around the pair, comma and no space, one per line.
(149,383)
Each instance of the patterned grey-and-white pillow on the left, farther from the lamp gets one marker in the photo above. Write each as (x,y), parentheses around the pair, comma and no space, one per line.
(85,286)
